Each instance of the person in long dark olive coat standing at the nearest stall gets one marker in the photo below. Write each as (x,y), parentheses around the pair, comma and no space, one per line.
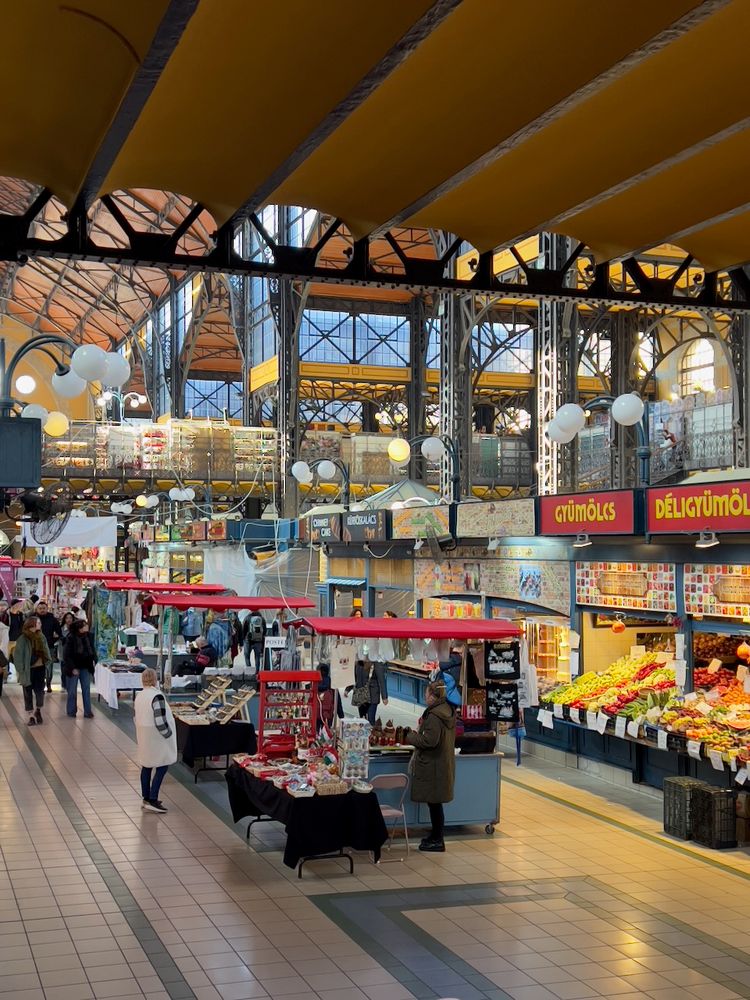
(433,764)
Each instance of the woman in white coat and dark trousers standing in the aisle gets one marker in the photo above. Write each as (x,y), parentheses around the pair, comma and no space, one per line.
(157,740)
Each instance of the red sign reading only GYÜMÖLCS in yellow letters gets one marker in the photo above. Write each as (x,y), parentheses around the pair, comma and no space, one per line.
(607,513)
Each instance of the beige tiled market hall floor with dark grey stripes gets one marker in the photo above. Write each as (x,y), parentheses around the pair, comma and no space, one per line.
(580,896)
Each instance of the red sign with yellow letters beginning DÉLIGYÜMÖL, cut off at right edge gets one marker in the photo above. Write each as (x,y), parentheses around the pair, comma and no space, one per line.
(707,507)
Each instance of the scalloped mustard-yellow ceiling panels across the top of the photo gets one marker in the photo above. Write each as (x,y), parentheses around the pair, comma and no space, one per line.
(624,125)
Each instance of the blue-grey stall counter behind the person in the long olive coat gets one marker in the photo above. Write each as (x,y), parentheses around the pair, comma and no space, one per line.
(476,798)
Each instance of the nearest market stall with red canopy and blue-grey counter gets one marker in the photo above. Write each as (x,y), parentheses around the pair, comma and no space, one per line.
(494,699)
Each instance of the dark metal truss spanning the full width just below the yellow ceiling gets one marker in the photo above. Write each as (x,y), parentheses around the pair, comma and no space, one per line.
(388,260)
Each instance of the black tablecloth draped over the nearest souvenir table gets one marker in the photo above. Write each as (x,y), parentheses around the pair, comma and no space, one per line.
(322,824)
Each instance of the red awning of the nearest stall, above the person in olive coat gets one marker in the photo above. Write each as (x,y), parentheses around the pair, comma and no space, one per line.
(415,628)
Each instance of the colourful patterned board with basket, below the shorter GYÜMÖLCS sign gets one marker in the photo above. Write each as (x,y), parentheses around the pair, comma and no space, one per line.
(632,586)
